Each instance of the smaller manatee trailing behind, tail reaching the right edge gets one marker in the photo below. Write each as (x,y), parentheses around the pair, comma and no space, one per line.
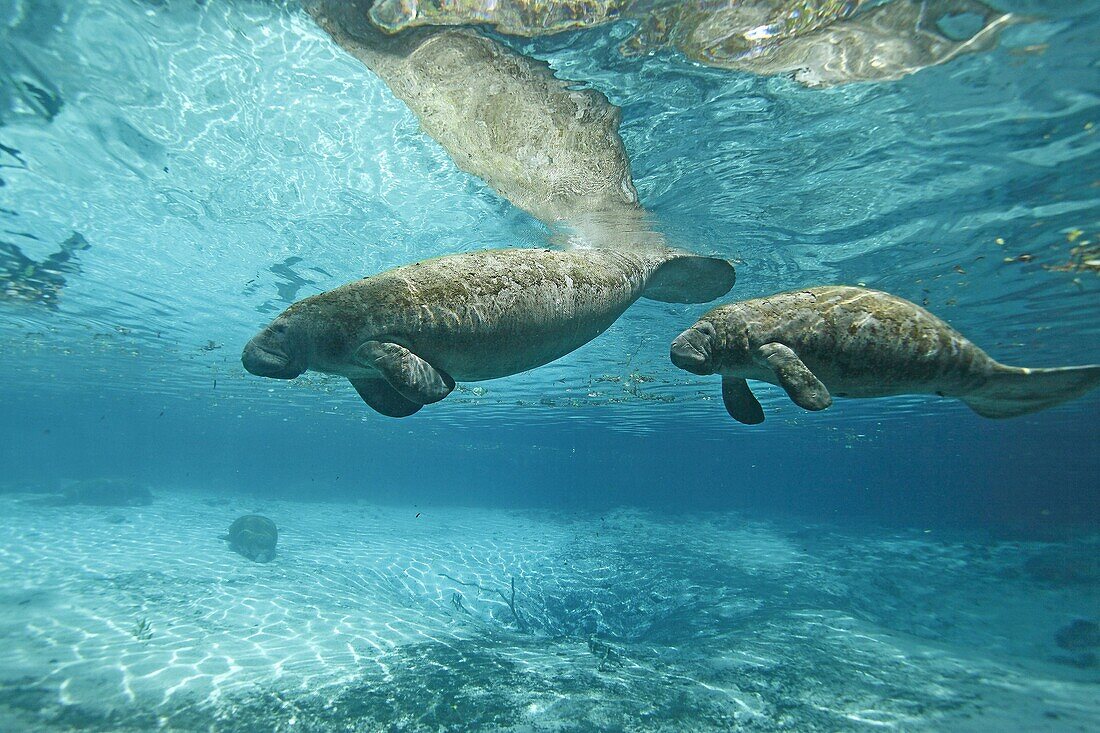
(854,343)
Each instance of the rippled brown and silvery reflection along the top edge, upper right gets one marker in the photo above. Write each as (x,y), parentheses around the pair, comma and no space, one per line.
(822,42)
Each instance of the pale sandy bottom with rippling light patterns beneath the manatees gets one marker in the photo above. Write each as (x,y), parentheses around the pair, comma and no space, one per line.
(372,618)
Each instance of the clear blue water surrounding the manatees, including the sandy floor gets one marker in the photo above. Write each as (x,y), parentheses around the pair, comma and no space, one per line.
(897,563)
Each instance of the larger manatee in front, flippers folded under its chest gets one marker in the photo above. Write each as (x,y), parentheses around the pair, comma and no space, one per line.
(405,336)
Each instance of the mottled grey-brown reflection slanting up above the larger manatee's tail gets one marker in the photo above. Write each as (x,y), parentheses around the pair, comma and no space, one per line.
(547,147)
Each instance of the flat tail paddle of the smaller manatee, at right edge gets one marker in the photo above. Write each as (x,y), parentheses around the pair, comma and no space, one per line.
(1013,391)
